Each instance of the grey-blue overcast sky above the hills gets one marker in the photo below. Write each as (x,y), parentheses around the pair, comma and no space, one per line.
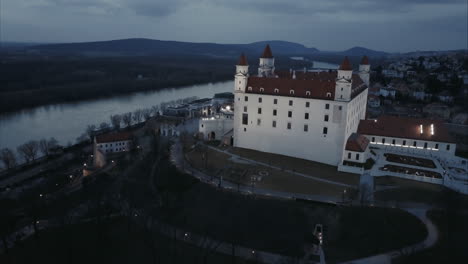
(389,25)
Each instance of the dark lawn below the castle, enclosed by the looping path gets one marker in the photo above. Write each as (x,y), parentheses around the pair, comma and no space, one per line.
(284,227)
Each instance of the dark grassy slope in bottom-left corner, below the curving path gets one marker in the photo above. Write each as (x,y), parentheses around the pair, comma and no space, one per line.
(110,242)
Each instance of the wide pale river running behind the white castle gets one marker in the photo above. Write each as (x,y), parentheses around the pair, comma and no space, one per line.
(67,121)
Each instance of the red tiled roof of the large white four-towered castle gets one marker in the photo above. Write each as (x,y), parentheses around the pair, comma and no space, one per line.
(319,84)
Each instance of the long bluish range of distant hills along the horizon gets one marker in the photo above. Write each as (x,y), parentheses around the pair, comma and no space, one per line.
(148,47)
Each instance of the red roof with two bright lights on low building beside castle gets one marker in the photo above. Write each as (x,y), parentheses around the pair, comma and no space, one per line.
(405,127)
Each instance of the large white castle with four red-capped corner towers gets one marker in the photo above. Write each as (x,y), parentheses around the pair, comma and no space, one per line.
(303,114)
